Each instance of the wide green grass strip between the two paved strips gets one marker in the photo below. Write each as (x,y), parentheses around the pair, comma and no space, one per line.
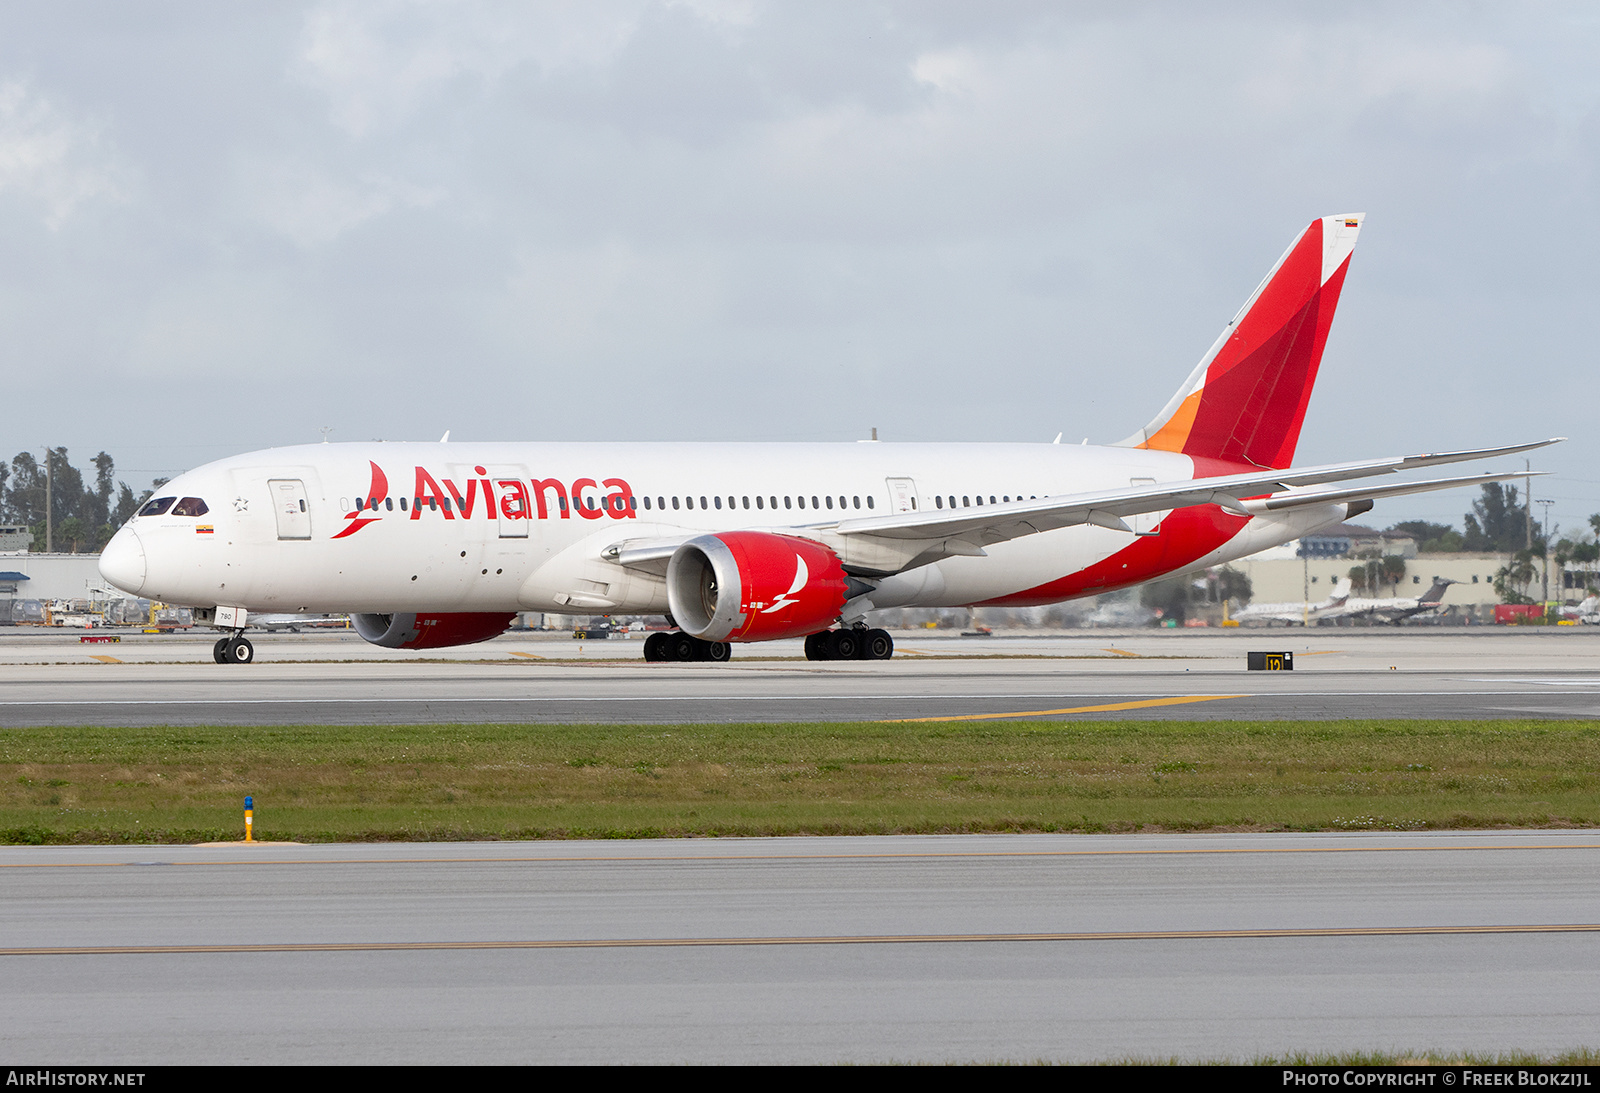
(95,785)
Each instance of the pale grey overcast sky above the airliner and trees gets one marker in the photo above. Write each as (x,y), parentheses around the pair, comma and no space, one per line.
(231,226)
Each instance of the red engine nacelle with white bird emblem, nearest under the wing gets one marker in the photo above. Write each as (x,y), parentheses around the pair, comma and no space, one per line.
(754,587)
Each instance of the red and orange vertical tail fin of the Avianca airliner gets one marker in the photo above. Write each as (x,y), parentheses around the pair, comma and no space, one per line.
(1247,399)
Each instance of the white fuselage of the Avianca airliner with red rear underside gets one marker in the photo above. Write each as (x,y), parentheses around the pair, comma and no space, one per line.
(527,524)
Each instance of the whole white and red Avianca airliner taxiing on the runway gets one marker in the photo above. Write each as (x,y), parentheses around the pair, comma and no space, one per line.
(434,545)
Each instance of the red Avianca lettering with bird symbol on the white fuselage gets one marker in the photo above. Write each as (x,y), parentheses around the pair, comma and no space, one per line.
(494,498)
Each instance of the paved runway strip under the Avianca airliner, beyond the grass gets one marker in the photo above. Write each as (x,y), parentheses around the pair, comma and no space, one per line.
(1489,673)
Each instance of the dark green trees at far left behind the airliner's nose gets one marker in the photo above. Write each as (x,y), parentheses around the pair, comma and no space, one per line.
(86,510)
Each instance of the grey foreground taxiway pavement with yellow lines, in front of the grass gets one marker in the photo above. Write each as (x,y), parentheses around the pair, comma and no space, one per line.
(961,948)
